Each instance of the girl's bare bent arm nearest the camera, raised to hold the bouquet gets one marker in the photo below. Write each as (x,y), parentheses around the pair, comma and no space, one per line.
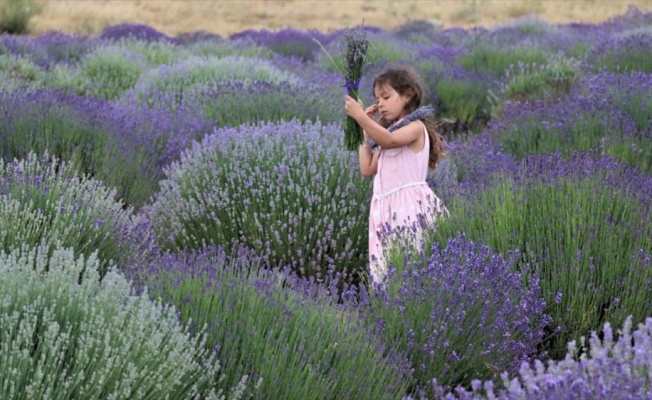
(385,139)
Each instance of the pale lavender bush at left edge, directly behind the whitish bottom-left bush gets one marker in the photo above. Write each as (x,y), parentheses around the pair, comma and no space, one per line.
(44,202)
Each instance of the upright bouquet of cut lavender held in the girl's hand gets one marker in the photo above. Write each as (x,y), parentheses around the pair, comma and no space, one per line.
(354,61)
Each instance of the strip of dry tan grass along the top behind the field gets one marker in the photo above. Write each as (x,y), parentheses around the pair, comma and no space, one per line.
(225,17)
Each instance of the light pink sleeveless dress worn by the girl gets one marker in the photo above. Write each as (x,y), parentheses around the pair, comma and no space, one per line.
(400,195)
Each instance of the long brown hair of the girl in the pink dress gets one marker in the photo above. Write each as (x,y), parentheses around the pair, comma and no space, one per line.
(405,81)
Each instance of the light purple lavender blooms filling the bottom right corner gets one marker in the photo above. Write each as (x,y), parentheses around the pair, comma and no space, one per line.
(612,365)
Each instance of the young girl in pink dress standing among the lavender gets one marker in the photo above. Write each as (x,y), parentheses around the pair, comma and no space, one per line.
(401,159)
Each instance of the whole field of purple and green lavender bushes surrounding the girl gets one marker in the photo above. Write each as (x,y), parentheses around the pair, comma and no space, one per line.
(180,219)
